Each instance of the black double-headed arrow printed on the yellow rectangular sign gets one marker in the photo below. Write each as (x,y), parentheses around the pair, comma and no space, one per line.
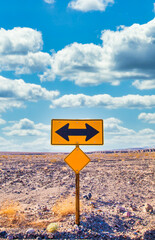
(65,132)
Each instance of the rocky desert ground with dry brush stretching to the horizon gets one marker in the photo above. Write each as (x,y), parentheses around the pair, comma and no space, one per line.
(116,196)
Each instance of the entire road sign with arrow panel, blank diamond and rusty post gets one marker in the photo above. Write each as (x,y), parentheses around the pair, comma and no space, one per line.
(77,132)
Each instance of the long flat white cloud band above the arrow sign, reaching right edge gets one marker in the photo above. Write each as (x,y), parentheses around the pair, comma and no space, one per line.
(105,100)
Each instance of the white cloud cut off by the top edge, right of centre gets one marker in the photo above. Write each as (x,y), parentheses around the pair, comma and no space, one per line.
(89,5)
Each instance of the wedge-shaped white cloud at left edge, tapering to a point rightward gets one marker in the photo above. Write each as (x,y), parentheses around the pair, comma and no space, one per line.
(13,93)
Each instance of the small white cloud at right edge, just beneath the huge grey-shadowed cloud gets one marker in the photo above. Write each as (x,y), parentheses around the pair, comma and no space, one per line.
(144,85)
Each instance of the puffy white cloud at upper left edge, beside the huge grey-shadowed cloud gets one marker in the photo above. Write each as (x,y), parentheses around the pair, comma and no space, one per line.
(20,51)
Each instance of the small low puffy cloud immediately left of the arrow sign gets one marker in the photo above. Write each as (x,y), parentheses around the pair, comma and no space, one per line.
(26,127)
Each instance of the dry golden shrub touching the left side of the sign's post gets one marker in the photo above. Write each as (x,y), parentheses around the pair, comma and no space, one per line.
(64,207)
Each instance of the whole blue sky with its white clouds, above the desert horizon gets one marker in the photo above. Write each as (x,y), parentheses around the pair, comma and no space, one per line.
(81,59)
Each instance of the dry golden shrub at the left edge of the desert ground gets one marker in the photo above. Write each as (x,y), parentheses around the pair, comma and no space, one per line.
(10,214)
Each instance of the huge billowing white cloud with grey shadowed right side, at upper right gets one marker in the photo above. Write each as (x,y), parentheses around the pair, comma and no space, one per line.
(127,53)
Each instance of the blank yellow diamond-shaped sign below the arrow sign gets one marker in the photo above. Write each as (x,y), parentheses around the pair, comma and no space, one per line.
(77,160)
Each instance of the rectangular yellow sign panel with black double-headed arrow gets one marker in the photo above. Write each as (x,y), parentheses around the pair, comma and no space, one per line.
(73,132)
